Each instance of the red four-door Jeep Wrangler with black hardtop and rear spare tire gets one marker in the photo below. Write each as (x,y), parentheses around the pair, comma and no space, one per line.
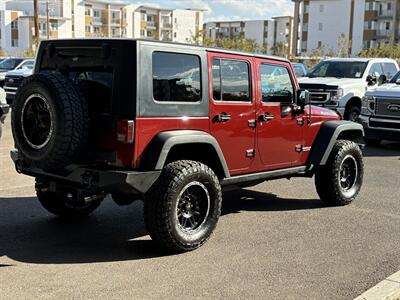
(173,125)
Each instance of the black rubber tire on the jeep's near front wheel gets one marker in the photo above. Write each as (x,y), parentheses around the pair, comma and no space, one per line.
(327,177)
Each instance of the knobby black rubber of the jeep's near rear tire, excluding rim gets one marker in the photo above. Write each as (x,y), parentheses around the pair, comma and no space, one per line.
(162,201)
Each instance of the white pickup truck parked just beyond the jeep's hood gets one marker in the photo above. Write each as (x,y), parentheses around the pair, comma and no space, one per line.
(340,83)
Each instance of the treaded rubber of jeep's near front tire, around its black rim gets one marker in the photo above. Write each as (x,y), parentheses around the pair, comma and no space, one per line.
(326,177)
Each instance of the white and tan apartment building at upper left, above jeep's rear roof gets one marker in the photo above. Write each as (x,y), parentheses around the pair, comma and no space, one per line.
(93,18)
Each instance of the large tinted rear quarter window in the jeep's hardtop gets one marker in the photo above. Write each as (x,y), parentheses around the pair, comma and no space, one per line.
(176,77)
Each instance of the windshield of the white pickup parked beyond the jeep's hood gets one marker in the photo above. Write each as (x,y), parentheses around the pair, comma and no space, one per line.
(339,69)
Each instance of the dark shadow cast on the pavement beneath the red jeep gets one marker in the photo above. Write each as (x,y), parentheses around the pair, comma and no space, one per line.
(29,234)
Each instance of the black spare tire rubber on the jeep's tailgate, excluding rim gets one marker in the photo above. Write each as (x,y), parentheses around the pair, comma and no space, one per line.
(69,119)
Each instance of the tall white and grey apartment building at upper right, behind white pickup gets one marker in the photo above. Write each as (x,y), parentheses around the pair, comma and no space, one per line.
(362,23)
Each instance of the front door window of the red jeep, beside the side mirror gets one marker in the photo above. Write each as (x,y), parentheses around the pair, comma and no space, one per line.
(276,84)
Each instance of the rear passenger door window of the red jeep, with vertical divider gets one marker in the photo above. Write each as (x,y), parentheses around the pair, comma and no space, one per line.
(230,80)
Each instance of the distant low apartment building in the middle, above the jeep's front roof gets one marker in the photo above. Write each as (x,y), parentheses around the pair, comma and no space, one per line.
(269,33)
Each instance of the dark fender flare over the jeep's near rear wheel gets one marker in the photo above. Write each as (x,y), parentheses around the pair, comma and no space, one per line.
(195,145)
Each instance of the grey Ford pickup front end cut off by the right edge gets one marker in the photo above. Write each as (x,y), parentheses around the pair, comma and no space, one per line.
(380,113)
